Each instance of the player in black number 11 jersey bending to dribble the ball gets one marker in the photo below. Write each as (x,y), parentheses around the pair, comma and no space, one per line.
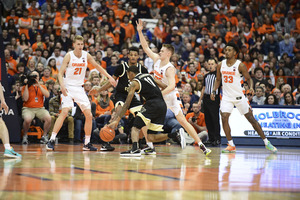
(152,114)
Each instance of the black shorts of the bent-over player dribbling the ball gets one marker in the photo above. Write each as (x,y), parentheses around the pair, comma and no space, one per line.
(153,114)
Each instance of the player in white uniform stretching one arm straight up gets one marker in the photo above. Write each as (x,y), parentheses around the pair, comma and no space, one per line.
(164,71)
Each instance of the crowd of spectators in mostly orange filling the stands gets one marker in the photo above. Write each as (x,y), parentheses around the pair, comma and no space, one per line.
(38,33)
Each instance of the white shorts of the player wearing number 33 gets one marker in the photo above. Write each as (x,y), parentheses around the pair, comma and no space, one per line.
(242,105)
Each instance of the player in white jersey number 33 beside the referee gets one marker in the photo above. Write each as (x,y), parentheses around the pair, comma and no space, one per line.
(231,72)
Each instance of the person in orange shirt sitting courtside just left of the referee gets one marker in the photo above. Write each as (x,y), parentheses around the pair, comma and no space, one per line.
(196,118)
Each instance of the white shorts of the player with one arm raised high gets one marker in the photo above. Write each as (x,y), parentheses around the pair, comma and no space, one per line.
(173,102)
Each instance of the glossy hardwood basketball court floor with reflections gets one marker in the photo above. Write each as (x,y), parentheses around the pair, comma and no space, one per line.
(70,173)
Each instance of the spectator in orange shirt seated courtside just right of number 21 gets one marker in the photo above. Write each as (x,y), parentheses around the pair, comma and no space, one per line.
(103,109)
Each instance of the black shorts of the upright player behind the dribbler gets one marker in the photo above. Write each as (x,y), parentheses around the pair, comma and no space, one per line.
(120,98)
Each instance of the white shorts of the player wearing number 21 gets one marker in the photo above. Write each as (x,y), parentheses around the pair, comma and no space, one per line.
(75,94)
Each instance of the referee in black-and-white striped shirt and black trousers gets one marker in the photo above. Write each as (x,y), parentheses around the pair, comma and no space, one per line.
(211,108)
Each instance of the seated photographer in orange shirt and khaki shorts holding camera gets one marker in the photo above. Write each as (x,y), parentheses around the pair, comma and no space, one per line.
(33,97)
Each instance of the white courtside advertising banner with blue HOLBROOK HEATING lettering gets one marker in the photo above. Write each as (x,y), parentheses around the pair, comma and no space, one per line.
(276,122)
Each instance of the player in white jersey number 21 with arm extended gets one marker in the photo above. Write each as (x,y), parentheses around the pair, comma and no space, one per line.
(73,69)
